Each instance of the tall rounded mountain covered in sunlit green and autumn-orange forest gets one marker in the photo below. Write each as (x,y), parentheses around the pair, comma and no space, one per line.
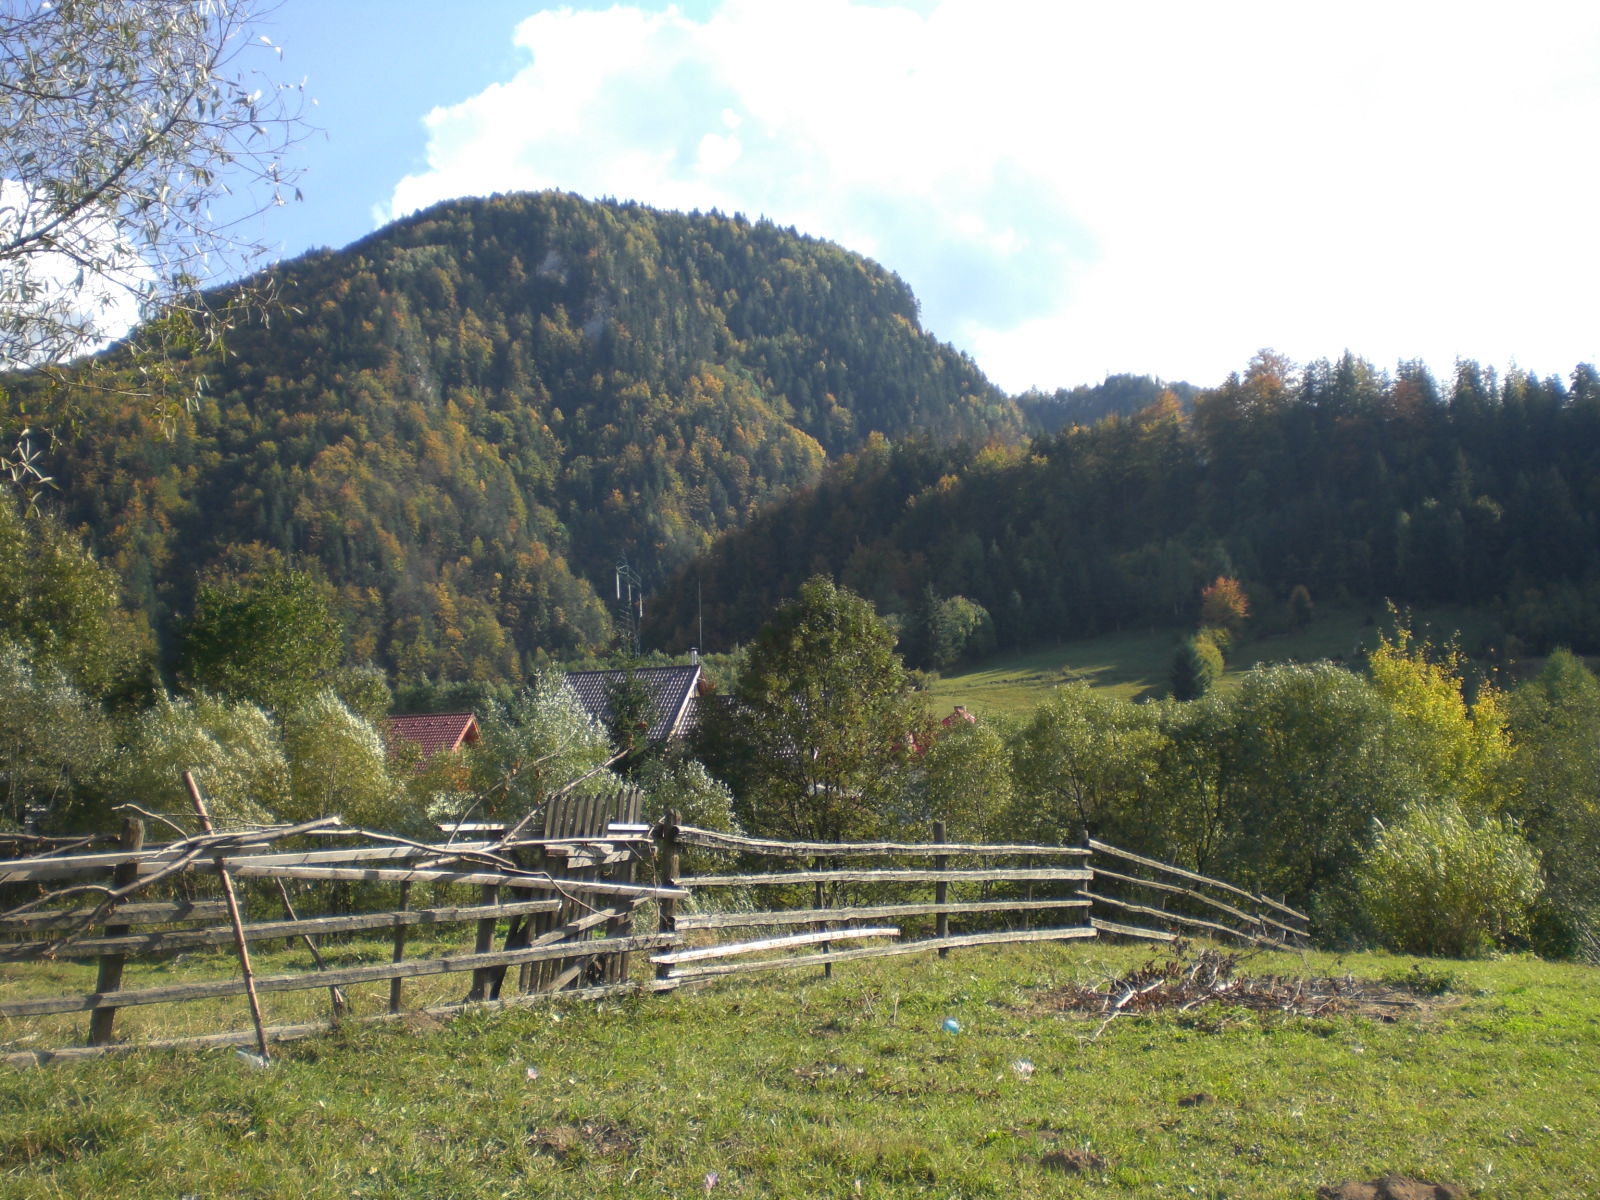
(468,417)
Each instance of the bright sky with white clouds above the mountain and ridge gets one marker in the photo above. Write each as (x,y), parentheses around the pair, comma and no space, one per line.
(1071,190)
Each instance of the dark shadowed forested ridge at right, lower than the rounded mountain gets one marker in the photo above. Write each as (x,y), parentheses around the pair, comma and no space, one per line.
(1337,478)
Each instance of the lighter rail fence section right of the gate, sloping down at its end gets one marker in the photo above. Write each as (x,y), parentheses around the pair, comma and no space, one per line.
(913,898)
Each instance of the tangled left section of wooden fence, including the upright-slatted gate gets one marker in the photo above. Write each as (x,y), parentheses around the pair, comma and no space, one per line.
(558,906)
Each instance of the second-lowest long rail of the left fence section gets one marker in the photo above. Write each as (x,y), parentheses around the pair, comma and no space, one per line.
(340,978)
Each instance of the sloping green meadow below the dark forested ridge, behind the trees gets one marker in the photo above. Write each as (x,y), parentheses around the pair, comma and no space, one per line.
(1138,665)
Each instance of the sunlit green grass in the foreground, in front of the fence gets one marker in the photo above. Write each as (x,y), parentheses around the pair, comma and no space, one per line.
(846,1087)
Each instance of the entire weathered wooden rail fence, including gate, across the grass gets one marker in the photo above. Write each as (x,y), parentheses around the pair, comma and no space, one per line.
(559,906)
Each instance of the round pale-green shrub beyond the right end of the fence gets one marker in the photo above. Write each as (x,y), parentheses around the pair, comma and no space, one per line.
(1439,884)
